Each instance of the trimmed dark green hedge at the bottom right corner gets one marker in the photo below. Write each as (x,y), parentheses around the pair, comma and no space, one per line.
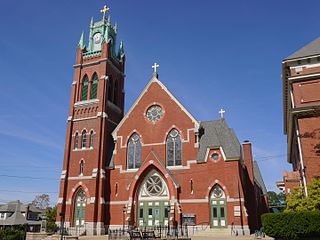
(292,225)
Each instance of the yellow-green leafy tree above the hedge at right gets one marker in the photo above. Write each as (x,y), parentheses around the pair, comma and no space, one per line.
(296,200)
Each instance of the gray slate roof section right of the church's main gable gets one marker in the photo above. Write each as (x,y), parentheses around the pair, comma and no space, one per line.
(215,134)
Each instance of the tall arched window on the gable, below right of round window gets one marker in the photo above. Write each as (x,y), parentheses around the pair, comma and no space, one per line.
(174,148)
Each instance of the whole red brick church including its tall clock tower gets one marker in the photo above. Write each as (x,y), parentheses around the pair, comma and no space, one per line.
(154,165)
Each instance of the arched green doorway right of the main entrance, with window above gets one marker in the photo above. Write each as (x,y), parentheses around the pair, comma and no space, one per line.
(218,208)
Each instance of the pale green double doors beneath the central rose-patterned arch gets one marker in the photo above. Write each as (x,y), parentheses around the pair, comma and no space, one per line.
(153,213)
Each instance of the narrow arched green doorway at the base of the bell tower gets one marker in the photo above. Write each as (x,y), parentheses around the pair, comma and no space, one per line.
(80,208)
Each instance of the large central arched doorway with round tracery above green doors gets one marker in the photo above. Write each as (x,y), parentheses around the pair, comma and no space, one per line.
(153,201)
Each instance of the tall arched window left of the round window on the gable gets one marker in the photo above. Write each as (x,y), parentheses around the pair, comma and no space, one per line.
(134,152)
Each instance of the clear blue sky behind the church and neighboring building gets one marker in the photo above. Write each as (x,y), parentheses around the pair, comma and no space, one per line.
(212,54)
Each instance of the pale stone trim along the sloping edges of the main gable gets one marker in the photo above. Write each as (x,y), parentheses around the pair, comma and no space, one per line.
(154,79)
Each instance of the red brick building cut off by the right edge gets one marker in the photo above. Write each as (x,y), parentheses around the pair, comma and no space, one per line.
(301,103)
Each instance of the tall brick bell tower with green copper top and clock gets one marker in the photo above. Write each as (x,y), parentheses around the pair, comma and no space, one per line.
(96,108)
